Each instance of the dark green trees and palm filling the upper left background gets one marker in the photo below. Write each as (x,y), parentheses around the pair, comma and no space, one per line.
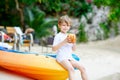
(40,14)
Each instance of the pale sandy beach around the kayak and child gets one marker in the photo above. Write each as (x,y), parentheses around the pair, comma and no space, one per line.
(100,58)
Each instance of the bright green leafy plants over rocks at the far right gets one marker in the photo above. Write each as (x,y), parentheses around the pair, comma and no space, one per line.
(113,17)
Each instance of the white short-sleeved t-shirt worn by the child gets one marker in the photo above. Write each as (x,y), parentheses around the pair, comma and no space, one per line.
(65,52)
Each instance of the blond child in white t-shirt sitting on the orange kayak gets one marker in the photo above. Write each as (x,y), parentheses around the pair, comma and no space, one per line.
(62,44)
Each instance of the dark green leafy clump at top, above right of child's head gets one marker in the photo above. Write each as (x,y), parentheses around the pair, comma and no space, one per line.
(79,8)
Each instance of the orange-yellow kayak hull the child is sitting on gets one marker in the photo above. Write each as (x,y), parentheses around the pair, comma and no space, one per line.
(37,67)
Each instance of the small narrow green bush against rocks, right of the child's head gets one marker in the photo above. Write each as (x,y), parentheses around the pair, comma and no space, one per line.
(82,37)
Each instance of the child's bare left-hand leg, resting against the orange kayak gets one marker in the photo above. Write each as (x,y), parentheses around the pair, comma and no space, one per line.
(67,65)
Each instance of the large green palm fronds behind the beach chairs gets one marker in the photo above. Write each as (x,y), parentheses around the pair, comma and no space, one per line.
(36,19)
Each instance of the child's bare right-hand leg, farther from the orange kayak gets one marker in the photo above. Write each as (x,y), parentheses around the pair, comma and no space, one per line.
(76,64)
